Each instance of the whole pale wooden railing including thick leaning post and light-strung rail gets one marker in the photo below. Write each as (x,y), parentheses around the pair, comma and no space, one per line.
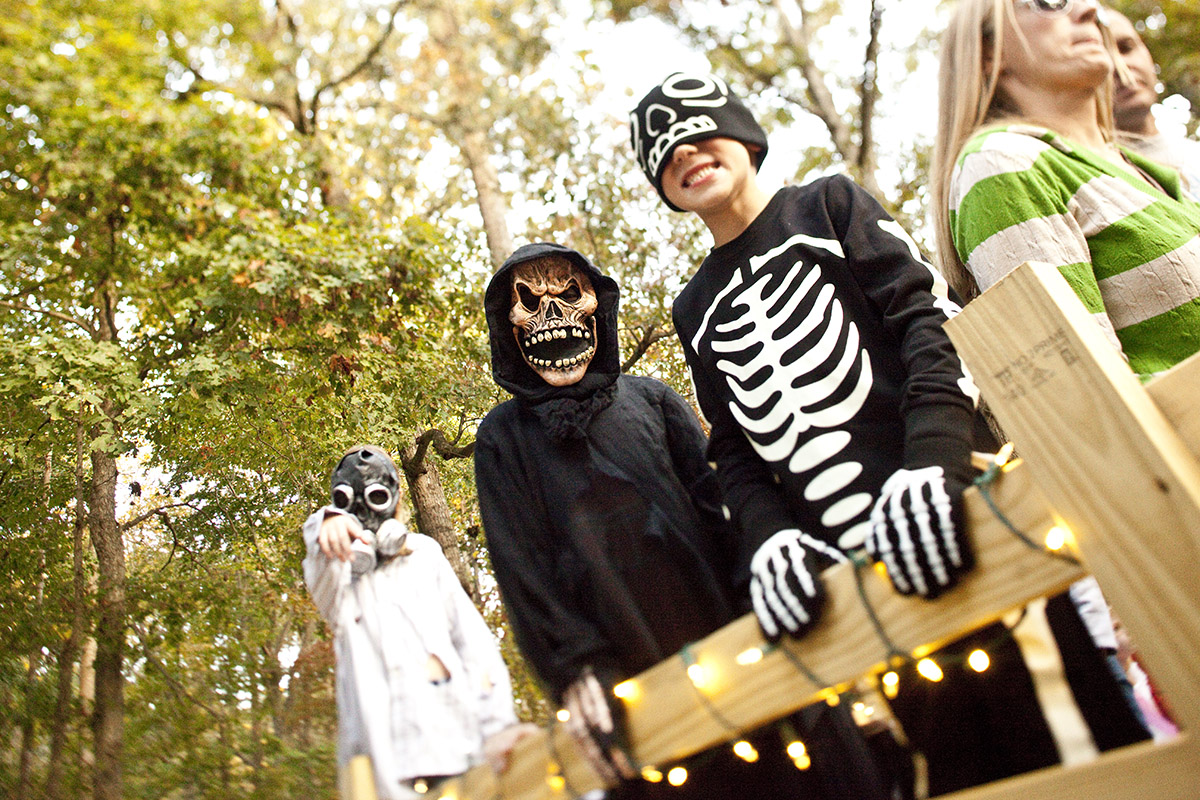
(1112,459)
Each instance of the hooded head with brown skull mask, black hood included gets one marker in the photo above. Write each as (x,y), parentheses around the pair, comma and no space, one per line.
(553,328)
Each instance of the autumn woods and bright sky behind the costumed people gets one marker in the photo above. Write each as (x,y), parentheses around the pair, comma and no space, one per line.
(238,237)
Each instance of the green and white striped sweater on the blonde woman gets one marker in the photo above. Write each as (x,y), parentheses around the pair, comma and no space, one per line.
(1131,252)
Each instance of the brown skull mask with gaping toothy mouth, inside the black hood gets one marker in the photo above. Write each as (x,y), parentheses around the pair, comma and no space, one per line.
(553,318)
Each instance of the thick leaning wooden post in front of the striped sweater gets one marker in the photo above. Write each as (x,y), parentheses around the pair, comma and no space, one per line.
(1117,471)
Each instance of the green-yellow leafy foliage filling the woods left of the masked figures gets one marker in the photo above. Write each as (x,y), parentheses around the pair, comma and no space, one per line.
(172,288)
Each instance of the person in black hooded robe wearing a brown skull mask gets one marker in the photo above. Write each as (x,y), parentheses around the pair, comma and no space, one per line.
(607,534)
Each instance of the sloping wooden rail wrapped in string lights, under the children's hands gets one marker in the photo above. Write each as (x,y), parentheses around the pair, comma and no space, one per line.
(668,719)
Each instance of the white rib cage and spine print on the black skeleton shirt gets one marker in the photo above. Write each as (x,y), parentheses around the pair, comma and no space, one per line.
(795,363)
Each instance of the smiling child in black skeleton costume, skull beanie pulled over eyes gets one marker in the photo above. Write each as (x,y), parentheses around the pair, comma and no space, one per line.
(842,416)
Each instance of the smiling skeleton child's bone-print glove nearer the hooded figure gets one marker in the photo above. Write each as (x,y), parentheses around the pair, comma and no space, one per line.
(785,584)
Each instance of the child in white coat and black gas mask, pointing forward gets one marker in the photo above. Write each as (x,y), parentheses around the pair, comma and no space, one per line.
(421,679)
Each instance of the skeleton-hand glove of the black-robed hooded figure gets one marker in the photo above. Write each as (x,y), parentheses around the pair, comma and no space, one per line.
(597,724)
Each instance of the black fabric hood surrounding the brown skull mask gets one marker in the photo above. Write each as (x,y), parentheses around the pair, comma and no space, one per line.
(509,369)
